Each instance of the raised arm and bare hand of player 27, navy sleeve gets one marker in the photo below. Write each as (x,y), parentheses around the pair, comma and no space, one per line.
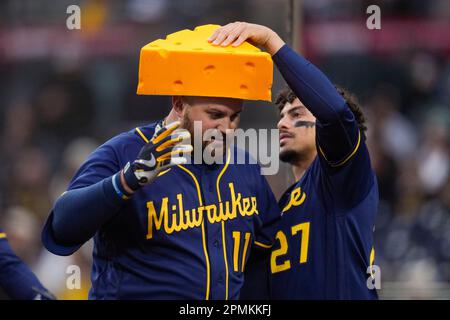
(338,134)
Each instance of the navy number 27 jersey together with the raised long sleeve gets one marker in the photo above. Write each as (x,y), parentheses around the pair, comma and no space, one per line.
(324,246)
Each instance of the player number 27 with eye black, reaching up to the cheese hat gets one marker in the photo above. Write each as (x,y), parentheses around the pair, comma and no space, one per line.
(323,247)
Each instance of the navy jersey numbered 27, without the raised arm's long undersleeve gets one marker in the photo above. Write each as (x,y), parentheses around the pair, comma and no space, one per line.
(324,245)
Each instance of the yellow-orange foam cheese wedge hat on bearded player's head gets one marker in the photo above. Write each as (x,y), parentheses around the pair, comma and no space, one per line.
(185,63)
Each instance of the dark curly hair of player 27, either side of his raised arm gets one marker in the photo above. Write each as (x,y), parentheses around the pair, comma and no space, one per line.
(287,95)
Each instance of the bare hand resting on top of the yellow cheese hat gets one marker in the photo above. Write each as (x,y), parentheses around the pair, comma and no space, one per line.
(237,32)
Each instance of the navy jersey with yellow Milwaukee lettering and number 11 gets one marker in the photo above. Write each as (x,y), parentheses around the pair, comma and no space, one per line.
(187,235)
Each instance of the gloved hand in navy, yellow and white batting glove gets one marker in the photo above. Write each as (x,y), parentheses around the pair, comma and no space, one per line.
(167,148)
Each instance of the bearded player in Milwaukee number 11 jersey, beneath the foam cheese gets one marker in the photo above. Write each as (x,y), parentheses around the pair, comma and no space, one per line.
(163,228)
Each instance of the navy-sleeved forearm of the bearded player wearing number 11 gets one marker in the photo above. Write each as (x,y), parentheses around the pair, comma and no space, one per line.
(79,213)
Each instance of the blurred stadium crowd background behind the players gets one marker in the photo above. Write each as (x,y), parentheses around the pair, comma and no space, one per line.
(63,92)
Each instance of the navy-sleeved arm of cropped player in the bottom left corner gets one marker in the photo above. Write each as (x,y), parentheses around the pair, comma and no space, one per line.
(16,279)
